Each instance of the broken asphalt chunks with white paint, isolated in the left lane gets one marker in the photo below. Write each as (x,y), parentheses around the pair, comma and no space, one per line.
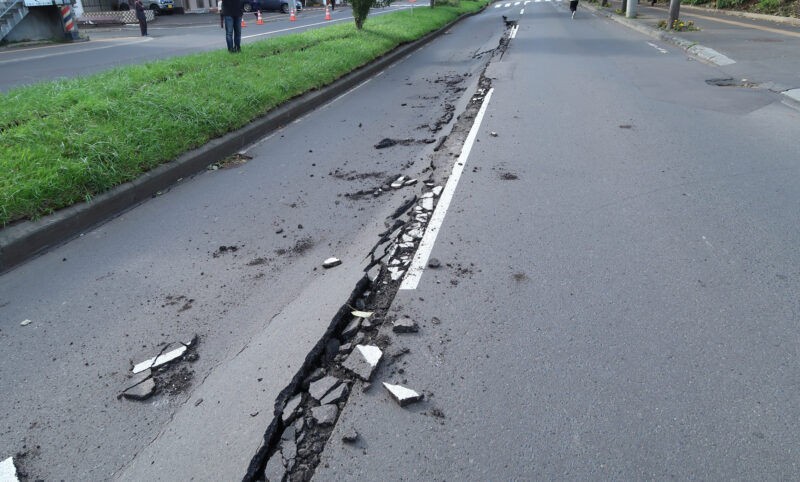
(162,372)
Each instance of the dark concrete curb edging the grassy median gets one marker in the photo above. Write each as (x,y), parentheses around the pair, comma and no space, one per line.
(23,241)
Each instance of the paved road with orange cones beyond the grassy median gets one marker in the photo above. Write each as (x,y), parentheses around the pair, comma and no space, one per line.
(171,35)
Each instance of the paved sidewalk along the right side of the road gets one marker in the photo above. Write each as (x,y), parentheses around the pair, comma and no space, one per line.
(762,51)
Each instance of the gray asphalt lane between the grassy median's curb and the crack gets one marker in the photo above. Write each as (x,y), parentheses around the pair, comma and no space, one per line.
(156,275)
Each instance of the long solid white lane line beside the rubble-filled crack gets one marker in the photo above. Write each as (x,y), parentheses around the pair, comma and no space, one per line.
(414,273)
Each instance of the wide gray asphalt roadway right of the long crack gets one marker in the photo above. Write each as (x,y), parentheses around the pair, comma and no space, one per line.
(624,310)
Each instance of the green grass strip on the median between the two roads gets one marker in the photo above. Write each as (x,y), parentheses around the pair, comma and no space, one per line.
(66,141)
